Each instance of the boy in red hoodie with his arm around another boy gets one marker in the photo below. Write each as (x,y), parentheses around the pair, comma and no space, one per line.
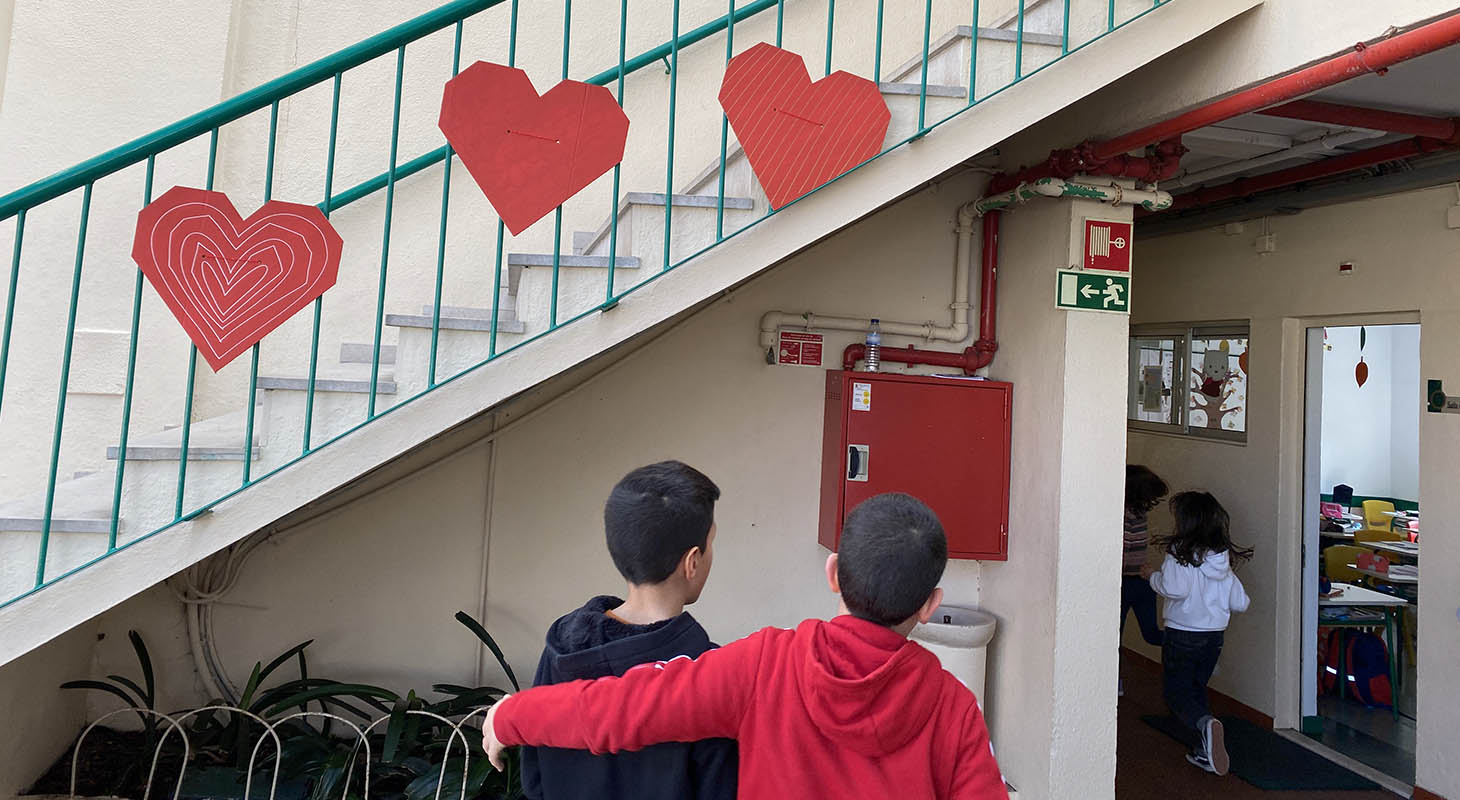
(842,709)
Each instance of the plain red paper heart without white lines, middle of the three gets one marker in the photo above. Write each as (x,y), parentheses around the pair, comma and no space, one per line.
(531,154)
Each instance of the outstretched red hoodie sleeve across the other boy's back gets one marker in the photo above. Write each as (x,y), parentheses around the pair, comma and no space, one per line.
(680,700)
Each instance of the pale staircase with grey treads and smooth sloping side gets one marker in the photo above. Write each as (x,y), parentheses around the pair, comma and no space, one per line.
(472,348)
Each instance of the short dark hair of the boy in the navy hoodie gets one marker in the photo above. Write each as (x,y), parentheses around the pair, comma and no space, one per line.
(655,516)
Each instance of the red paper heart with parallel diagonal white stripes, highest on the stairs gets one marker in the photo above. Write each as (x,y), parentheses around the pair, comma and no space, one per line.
(796,134)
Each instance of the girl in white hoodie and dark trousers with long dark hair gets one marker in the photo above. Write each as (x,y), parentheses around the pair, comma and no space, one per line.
(1201,595)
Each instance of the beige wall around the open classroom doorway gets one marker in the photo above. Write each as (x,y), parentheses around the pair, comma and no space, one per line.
(1405,258)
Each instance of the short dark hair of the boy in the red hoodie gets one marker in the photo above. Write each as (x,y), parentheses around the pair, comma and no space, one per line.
(891,557)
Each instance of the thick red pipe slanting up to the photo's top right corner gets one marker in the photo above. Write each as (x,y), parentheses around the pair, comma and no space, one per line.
(1366,59)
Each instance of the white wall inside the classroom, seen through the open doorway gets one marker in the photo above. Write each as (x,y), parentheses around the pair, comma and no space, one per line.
(1372,433)
